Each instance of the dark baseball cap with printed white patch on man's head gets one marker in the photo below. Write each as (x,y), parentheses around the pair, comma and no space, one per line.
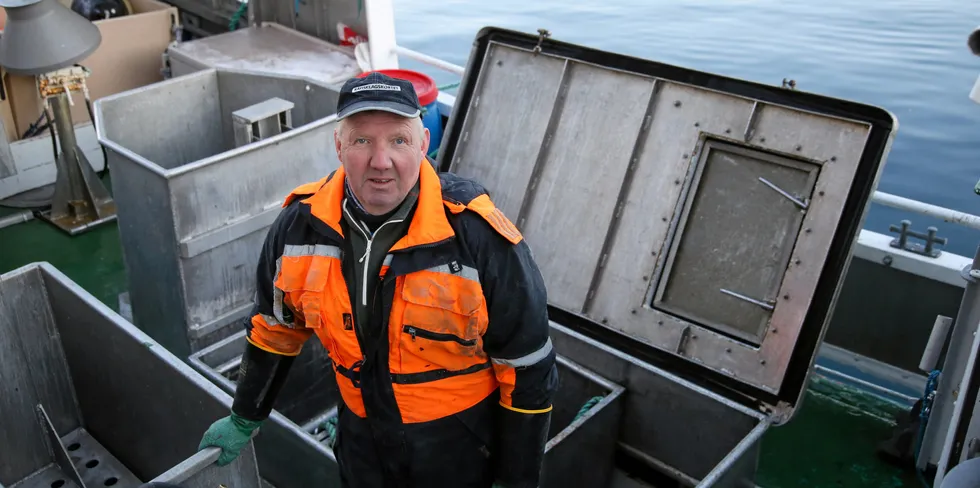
(378,91)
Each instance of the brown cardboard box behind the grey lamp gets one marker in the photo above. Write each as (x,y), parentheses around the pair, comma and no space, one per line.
(130,56)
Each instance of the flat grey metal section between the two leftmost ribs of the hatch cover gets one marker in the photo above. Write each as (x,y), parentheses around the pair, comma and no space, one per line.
(580,177)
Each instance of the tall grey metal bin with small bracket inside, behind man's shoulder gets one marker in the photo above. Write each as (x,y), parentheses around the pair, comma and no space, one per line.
(200,166)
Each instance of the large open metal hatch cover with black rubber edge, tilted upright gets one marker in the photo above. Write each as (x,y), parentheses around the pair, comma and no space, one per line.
(702,216)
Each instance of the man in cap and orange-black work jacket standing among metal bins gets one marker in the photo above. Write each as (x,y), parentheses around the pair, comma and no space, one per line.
(427,299)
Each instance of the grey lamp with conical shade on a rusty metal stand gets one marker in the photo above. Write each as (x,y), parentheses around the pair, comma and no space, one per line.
(45,39)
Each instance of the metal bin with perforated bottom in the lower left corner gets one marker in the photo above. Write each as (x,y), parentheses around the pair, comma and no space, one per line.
(89,400)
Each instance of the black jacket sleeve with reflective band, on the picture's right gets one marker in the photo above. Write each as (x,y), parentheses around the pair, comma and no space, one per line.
(517,341)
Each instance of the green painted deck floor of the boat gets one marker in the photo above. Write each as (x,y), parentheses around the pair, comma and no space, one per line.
(830,443)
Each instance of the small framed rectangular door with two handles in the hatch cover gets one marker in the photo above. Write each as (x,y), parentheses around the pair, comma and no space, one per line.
(734,239)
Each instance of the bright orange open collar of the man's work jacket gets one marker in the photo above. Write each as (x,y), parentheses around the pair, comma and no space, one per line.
(429,223)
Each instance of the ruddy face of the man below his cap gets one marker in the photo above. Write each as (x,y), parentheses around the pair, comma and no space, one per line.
(381,153)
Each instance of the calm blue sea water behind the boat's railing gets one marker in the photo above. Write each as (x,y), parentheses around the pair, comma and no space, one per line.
(905,56)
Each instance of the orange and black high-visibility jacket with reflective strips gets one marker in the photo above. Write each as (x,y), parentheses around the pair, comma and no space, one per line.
(460,300)
